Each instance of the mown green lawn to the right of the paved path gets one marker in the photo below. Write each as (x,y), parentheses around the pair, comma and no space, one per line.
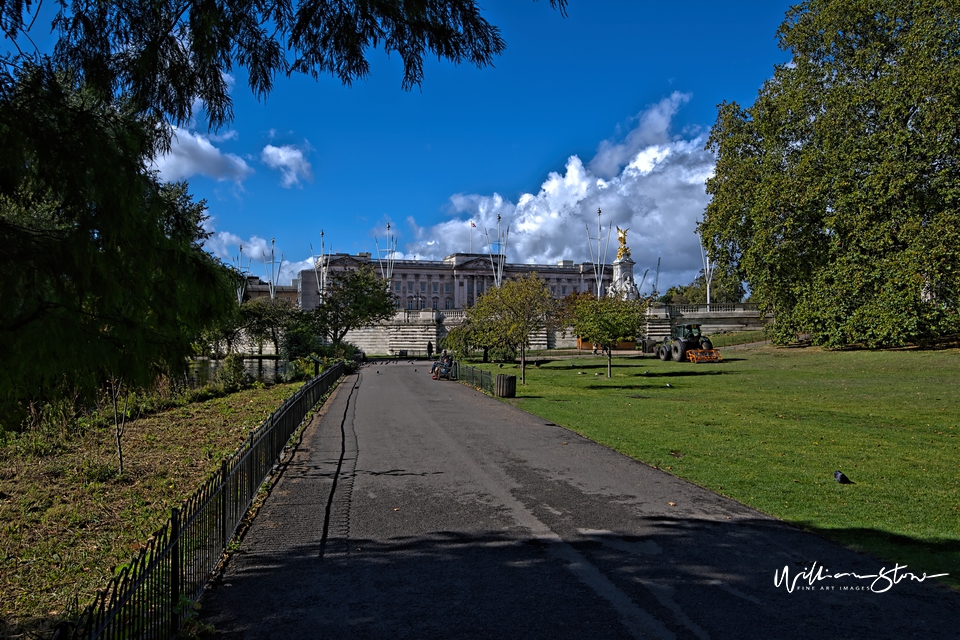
(769,426)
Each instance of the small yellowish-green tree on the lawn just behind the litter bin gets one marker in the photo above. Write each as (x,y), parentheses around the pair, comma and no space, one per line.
(509,314)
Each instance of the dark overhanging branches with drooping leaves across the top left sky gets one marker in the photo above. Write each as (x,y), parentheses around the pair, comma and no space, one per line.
(164,55)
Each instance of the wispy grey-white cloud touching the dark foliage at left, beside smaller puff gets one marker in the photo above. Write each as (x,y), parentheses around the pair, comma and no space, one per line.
(193,153)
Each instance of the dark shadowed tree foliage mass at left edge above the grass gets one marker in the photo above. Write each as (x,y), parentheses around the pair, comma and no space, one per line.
(104,272)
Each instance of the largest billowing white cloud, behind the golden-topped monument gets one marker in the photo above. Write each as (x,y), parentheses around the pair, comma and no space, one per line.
(651,182)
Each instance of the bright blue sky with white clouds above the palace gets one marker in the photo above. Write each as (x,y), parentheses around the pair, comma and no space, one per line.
(609,107)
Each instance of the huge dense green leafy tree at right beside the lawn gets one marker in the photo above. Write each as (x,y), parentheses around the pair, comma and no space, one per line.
(835,195)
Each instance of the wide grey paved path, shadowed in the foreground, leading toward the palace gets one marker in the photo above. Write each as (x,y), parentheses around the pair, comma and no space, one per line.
(416,508)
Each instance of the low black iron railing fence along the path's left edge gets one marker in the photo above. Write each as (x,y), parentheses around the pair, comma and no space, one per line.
(153,595)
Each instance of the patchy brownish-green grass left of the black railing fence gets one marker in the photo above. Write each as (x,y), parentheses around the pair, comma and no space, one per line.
(66,518)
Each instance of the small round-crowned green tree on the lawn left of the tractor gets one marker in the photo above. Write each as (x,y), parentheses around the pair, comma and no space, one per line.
(609,320)
